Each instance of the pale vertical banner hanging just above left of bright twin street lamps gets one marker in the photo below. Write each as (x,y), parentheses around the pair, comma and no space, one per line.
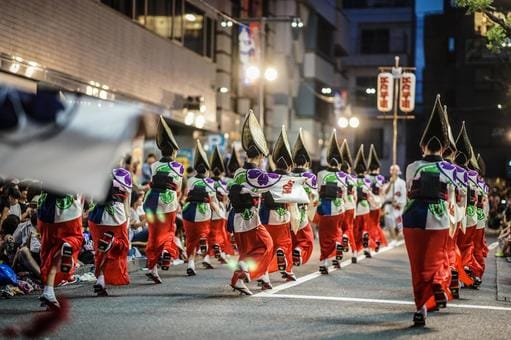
(248,39)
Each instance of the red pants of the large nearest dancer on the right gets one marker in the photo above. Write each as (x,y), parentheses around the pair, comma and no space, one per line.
(427,251)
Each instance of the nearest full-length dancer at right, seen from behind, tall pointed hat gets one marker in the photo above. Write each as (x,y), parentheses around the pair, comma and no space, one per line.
(426,220)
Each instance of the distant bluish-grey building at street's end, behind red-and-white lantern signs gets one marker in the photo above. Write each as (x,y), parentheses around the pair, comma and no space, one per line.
(379,31)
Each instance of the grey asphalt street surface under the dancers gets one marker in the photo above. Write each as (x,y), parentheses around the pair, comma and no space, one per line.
(367,300)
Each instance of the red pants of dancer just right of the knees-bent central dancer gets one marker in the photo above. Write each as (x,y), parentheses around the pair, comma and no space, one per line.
(281,237)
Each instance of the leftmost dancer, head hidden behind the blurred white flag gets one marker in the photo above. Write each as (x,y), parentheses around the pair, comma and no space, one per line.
(59,219)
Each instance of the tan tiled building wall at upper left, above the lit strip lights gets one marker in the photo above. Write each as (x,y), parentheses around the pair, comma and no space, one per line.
(92,42)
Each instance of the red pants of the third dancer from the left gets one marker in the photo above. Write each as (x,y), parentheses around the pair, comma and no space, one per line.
(160,238)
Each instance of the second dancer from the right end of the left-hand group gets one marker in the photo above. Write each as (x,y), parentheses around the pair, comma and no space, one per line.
(361,226)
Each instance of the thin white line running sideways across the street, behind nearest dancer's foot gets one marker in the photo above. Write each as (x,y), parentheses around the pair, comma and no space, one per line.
(381,301)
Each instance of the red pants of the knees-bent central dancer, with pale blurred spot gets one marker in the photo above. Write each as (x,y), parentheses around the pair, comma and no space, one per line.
(256,250)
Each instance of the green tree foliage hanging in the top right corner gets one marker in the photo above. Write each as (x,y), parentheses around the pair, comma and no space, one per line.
(500,33)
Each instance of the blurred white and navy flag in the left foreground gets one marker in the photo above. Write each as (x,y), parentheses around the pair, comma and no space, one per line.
(67,141)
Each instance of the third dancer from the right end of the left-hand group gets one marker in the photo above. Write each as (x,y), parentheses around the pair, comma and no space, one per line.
(350,202)
